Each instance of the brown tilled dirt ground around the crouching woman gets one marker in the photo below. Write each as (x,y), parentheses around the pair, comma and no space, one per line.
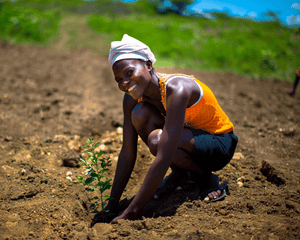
(52,101)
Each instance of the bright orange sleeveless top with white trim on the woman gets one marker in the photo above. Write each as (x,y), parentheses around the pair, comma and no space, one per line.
(206,114)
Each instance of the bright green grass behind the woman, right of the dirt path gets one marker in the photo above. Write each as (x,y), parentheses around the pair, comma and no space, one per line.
(244,46)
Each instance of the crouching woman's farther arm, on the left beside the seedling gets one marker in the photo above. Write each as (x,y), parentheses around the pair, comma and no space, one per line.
(127,154)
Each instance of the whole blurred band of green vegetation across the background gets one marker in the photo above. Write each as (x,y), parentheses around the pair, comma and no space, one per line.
(178,37)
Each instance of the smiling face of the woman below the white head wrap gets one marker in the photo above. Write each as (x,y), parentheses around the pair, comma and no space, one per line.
(132,76)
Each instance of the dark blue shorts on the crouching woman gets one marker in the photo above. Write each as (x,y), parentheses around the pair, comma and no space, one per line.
(212,152)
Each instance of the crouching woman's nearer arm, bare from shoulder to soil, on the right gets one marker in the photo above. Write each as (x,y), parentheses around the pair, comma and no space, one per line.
(177,100)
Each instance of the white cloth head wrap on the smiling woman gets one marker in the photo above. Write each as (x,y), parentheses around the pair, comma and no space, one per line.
(129,48)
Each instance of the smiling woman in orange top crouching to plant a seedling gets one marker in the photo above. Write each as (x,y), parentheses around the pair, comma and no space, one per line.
(179,119)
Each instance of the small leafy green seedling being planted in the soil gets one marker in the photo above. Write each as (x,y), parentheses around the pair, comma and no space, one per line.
(94,177)
